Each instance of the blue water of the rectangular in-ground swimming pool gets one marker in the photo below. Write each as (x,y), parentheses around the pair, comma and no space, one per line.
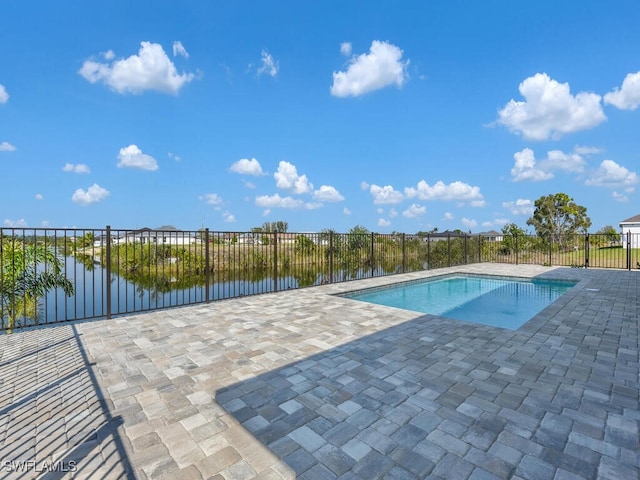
(496,301)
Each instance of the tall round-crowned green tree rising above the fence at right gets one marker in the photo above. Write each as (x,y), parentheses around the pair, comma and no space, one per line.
(557,218)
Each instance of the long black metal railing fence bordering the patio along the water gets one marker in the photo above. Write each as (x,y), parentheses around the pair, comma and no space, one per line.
(55,275)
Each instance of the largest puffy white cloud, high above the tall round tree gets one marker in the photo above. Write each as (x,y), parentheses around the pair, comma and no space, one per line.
(549,110)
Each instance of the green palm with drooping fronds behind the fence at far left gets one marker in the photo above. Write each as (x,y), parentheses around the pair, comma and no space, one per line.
(27,273)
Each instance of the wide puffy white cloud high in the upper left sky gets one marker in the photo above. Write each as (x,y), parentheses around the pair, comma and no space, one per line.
(151,69)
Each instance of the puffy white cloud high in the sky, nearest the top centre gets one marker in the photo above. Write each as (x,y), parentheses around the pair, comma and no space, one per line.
(381,67)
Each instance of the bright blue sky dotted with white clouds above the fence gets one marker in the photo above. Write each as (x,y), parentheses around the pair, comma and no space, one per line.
(397,116)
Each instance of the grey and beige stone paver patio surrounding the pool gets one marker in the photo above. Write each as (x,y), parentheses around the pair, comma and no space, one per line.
(303,384)
